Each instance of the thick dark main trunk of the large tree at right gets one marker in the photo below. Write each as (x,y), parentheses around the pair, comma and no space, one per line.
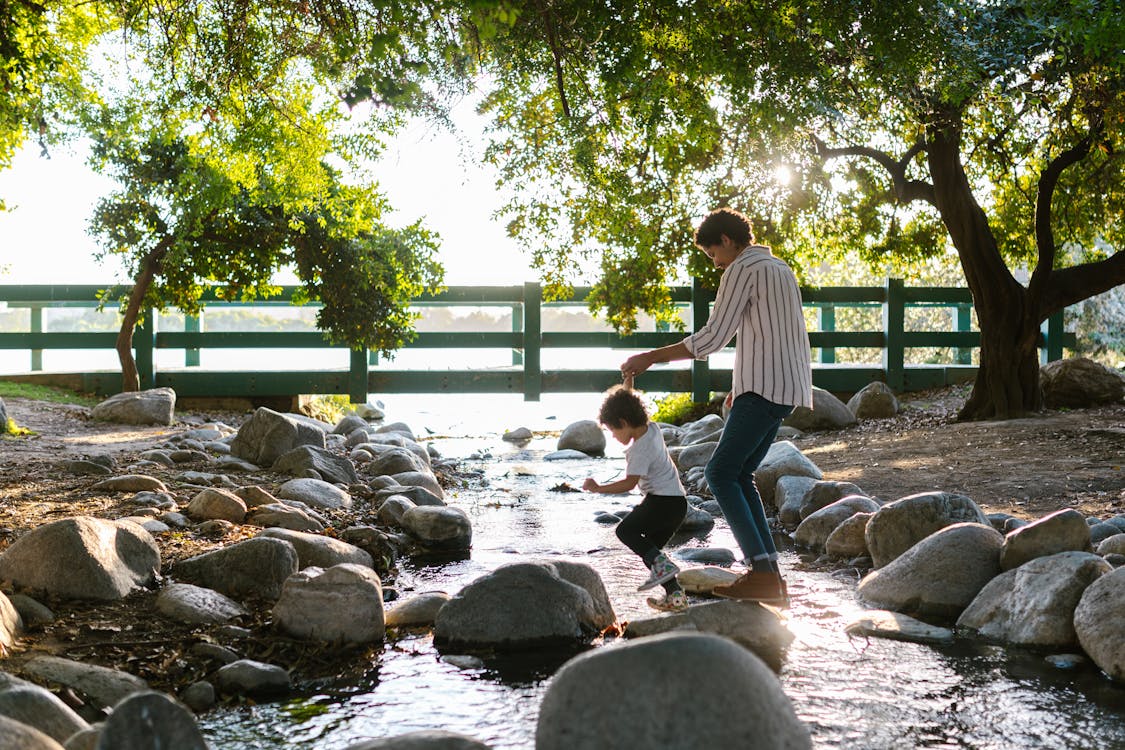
(1009,378)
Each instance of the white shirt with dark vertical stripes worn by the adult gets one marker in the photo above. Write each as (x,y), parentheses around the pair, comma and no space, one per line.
(760,301)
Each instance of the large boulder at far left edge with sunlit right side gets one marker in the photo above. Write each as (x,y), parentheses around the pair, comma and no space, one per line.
(83,558)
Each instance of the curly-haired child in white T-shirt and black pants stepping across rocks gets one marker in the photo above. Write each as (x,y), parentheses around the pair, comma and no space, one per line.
(650,526)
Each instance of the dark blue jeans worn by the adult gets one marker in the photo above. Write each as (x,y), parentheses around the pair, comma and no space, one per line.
(750,431)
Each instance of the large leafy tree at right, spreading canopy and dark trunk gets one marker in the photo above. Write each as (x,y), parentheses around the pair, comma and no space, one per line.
(883,130)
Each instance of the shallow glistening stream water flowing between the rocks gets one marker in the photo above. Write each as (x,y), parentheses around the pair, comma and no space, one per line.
(852,693)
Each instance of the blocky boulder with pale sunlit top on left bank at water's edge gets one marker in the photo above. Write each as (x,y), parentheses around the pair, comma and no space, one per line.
(343,603)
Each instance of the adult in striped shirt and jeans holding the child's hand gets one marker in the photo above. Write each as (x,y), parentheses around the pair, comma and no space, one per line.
(760,301)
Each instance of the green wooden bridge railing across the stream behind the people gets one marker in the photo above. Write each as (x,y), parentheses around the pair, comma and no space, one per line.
(528,340)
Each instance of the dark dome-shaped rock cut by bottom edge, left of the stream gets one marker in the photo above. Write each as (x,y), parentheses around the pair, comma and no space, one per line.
(151,720)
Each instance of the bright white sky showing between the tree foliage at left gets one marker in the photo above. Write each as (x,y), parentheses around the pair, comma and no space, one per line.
(43,238)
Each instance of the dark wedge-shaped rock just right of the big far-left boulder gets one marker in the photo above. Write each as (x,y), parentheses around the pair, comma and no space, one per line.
(256,567)
